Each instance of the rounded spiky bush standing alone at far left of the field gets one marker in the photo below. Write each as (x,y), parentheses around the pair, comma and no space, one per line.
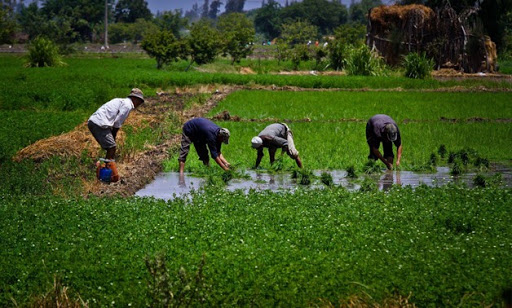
(43,52)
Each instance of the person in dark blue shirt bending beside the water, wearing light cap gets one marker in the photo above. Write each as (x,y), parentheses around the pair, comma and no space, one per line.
(203,133)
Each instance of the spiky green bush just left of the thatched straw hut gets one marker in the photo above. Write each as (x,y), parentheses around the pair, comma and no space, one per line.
(362,61)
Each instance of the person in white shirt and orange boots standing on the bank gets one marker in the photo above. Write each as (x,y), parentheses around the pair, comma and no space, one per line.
(106,121)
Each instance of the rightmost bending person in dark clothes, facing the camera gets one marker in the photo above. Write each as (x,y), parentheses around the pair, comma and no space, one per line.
(382,128)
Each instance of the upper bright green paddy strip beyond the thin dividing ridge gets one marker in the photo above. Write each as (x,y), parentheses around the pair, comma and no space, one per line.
(325,106)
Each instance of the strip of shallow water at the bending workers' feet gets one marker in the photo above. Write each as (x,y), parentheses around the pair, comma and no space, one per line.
(166,185)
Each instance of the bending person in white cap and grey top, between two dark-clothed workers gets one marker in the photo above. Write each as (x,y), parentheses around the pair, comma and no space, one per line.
(274,136)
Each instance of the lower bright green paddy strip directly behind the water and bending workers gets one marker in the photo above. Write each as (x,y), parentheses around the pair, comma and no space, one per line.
(339,145)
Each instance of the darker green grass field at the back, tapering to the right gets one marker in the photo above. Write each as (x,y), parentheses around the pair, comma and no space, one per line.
(86,83)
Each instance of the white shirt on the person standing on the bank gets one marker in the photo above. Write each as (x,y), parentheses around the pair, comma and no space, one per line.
(113,113)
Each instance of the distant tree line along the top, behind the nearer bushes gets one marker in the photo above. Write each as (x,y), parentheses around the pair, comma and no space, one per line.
(82,21)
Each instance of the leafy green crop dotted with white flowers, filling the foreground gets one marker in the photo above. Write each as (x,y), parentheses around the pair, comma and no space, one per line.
(446,246)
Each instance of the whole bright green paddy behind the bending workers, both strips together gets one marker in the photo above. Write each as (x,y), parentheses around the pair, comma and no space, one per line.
(336,124)
